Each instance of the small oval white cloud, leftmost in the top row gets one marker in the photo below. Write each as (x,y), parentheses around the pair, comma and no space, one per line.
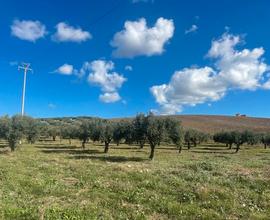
(28,30)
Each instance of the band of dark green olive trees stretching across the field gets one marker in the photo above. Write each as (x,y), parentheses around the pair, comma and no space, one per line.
(142,130)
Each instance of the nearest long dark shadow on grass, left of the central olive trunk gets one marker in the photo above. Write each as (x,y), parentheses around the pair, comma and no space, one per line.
(114,159)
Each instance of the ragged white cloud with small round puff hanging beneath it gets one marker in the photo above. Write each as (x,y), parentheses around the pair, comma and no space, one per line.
(102,74)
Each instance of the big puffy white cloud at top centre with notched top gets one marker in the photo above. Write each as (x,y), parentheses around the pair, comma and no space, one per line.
(138,39)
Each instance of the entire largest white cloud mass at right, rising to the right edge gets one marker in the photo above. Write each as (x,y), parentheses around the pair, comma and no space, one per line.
(244,70)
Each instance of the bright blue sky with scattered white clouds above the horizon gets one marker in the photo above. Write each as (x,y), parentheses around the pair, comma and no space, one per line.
(117,58)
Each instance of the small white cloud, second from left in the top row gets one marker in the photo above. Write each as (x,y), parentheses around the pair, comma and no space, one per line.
(66,33)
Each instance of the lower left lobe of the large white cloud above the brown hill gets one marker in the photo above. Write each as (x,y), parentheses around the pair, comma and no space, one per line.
(189,86)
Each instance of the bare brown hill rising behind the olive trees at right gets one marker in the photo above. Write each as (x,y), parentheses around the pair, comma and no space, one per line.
(214,123)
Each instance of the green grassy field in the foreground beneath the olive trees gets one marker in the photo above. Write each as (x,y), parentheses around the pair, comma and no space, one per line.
(61,181)
